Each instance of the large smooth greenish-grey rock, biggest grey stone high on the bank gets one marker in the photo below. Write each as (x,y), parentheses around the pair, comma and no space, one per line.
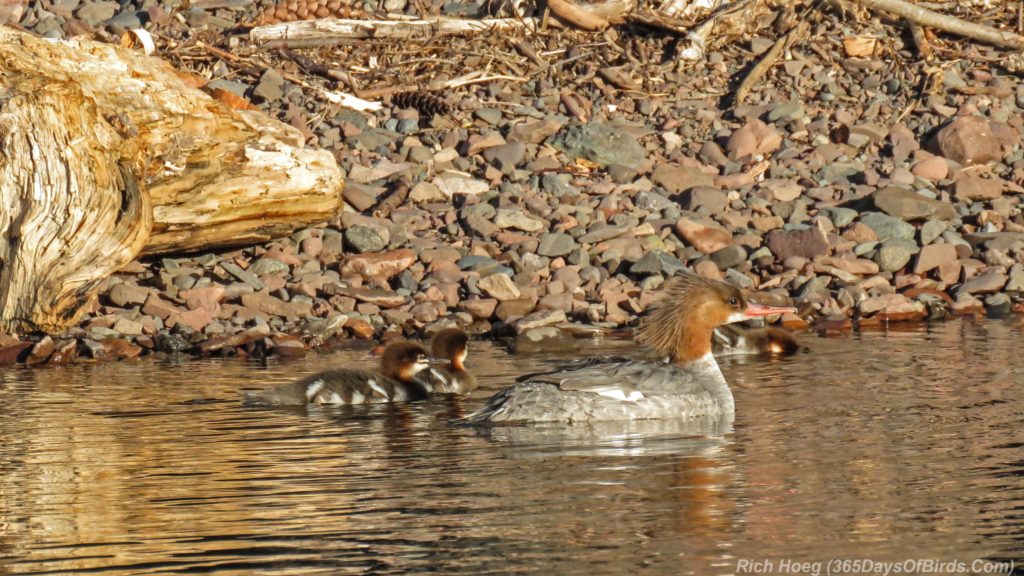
(603,144)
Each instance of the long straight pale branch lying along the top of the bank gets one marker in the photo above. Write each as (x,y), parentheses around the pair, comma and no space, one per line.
(329,30)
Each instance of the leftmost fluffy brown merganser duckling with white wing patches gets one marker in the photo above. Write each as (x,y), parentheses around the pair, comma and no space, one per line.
(396,382)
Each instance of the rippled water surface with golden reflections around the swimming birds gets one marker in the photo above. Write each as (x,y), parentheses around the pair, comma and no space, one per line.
(884,445)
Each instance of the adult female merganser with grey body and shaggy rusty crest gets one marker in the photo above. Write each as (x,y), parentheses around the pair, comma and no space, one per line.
(690,385)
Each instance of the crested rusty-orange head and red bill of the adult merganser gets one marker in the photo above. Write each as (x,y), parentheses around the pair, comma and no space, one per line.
(680,326)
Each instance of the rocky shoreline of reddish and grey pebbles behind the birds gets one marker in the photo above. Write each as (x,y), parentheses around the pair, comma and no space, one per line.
(863,191)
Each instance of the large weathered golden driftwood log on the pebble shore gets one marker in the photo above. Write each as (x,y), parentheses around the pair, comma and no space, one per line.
(106,154)
